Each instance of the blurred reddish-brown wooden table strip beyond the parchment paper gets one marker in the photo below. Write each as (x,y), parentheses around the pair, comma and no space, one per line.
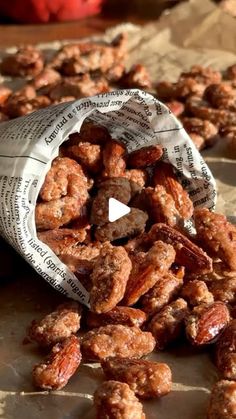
(22,34)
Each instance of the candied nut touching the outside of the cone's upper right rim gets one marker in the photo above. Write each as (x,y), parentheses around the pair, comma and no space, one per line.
(204,128)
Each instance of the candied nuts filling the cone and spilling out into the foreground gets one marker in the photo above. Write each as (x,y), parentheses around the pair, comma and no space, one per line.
(151,284)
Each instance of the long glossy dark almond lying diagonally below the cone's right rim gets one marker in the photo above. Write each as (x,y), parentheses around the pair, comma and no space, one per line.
(188,254)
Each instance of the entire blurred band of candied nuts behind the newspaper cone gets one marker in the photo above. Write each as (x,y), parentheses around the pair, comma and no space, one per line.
(203,99)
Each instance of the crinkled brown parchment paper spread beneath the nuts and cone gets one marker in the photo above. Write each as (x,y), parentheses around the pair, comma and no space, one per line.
(166,50)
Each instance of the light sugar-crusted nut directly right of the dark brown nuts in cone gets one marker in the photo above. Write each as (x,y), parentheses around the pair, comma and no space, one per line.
(161,206)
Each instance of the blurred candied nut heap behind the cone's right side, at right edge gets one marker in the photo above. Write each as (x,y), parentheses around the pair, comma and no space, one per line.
(205,102)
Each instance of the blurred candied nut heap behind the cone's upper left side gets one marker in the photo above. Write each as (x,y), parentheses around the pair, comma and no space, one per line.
(75,71)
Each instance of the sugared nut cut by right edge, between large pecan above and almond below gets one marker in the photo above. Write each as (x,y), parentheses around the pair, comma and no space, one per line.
(224,289)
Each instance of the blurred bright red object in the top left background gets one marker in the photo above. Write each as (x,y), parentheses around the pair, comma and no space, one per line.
(43,11)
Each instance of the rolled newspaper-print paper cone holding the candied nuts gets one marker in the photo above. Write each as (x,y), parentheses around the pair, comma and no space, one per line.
(29,144)
